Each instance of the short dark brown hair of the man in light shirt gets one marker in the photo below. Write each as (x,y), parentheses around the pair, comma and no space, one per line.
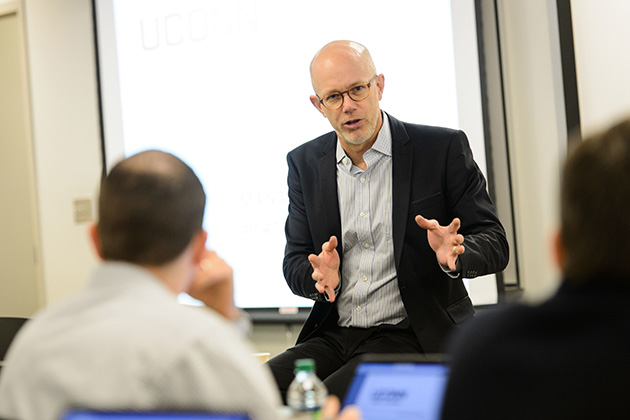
(150,207)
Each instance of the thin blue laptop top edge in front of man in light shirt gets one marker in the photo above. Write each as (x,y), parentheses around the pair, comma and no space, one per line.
(149,415)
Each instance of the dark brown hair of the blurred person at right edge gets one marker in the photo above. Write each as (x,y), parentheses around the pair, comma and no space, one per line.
(595,206)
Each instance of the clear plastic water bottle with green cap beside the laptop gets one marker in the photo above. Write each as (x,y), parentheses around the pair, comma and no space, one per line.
(307,393)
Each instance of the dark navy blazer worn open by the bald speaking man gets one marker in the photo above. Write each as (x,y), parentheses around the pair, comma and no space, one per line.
(434,175)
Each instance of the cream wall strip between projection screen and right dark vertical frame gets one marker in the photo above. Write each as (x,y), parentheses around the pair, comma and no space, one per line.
(536,132)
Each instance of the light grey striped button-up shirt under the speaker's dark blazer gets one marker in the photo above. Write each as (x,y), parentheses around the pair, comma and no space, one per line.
(370,295)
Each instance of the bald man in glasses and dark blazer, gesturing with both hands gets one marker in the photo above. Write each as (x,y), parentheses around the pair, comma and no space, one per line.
(385,219)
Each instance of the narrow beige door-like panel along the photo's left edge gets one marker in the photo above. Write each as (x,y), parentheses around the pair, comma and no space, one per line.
(19,231)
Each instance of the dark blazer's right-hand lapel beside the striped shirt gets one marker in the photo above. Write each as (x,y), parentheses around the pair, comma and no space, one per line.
(401,178)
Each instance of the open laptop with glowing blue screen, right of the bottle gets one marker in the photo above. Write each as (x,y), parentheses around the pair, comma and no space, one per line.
(399,387)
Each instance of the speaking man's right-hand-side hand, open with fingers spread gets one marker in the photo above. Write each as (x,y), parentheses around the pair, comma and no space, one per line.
(444,240)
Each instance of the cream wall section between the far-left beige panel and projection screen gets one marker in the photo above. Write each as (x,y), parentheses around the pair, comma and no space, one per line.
(65,134)
